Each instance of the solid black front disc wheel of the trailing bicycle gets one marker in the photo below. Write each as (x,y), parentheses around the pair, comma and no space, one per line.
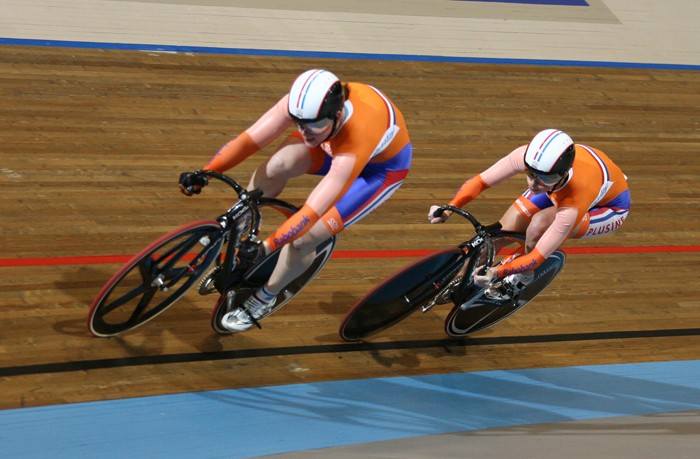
(401,294)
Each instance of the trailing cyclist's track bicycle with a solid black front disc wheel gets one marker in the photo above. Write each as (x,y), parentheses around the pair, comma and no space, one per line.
(447,277)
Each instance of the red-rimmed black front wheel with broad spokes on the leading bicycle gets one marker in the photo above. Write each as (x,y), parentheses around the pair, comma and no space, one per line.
(155,278)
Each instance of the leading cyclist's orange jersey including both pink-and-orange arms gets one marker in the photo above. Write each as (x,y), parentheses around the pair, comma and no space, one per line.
(373,132)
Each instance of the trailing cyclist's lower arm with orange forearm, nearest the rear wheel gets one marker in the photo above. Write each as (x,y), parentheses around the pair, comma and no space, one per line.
(551,240)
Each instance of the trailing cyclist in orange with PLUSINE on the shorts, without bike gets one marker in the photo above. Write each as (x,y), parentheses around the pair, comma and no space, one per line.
(574,191)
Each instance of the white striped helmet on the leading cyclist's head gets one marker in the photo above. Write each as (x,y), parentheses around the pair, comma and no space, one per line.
(315,94)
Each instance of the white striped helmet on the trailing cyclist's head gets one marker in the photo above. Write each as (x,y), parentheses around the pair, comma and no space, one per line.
(550,153)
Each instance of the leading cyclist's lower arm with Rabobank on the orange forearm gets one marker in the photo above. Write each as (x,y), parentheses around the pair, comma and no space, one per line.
(344,170)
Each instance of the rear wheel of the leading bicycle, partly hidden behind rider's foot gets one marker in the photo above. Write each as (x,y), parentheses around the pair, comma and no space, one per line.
(259,274)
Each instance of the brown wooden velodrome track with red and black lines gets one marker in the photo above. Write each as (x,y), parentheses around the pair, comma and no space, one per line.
(93,141)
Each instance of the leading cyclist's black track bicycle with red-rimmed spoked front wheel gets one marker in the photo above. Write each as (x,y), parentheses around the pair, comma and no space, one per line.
(222,254)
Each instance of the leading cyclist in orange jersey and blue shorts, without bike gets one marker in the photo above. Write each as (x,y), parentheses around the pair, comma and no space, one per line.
(351,134)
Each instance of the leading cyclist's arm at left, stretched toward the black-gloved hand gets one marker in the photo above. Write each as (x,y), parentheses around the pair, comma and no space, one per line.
(270,126)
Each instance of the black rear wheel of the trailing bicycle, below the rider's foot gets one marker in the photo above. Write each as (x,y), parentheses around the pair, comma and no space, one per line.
(485,313)
